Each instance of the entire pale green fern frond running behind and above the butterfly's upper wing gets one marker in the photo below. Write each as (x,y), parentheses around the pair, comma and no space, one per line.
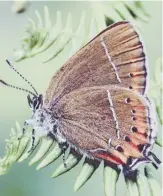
(42,35)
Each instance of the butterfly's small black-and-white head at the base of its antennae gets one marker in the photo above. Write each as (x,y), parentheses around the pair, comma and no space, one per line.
(35,102)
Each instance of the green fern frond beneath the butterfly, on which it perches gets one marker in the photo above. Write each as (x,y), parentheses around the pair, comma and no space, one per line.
(47,151)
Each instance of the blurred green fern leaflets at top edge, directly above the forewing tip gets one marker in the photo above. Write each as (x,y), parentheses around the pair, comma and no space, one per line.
(115,11)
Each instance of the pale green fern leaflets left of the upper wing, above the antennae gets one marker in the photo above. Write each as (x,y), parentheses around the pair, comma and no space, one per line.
(39,37)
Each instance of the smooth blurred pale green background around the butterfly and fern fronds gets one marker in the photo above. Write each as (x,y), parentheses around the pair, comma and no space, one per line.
(21,179)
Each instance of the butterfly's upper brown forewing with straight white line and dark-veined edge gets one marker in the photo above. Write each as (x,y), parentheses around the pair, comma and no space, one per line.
(115,56)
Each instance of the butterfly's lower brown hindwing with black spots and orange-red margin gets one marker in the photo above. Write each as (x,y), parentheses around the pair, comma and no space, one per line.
(97,120)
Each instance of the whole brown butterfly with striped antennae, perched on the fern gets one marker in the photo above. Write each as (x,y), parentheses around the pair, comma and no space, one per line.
(96,103)
